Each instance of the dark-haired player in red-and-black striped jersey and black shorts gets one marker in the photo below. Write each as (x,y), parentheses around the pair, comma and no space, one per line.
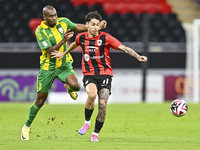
(96,68)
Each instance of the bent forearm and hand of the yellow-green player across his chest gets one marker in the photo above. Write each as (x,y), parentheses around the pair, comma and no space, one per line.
(67,36)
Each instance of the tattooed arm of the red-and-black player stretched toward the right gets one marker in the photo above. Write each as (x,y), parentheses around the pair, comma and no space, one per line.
(132,53)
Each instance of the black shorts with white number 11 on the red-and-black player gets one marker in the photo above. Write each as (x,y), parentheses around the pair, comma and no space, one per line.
(101,81)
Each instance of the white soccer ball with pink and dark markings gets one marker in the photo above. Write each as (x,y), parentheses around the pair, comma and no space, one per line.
(178,107)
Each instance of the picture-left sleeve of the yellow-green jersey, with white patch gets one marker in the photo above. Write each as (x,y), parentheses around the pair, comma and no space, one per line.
(42,40)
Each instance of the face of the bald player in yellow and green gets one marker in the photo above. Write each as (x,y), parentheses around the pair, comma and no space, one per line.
(51,17)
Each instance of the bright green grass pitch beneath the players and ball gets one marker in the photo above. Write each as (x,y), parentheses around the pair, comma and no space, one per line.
(127,127)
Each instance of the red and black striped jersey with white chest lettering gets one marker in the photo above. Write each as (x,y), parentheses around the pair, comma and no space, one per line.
(95,53)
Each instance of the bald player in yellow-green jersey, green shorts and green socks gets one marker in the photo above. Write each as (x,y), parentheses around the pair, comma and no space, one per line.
(53,34)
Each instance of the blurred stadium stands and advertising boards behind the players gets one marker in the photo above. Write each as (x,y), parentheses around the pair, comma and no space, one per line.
(150,27)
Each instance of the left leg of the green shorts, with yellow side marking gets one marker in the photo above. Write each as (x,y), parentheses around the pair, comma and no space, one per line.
(45,80)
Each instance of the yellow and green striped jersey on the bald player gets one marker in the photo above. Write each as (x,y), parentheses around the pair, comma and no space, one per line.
(47,37)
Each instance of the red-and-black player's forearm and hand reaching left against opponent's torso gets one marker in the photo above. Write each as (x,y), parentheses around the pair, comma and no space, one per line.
(60,55)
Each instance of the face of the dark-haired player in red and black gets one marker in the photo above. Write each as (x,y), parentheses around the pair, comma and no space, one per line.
(93,27)
